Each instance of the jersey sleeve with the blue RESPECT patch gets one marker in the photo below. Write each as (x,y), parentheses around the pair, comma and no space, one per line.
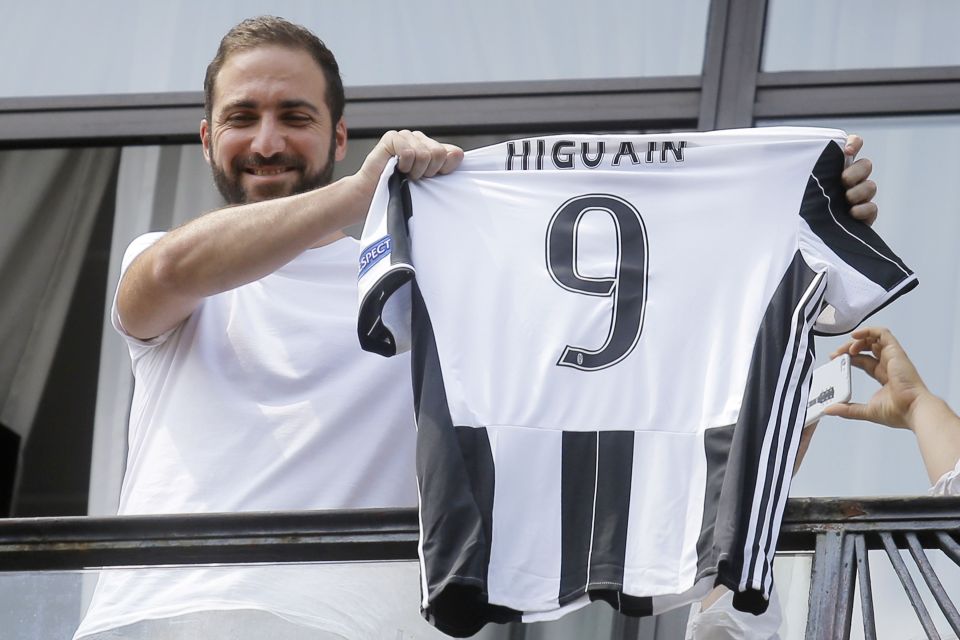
(386,269)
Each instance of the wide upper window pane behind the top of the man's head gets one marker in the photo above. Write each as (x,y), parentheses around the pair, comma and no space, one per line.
(165,46)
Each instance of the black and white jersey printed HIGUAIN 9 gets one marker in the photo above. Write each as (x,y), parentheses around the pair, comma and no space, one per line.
(612,342)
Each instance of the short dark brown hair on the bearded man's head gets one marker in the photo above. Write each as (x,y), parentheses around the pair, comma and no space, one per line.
(271,30)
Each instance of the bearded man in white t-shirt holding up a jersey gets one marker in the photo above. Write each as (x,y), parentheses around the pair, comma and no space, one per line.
(252,392)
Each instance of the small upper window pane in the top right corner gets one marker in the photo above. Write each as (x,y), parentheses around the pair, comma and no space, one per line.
(860,34)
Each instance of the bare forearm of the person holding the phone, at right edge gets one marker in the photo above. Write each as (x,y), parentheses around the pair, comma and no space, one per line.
(938,434)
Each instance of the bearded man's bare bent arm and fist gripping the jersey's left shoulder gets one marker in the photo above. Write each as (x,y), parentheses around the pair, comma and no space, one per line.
(236,245)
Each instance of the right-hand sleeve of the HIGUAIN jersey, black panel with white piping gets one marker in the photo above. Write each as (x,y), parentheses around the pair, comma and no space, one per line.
(863,274)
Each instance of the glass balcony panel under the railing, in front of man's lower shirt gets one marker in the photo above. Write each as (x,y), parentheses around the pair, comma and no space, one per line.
(325,601)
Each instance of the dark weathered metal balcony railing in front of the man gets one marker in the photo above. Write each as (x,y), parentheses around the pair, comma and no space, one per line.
(839,533)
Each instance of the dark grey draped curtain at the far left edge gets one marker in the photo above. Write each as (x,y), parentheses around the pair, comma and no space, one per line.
(50,202)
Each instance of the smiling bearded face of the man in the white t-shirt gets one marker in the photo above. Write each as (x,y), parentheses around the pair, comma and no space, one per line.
(274,132)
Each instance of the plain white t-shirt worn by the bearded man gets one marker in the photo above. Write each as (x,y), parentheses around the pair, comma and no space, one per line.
(263,400)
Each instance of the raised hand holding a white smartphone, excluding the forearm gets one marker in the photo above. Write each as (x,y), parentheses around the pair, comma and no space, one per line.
(877,352)
